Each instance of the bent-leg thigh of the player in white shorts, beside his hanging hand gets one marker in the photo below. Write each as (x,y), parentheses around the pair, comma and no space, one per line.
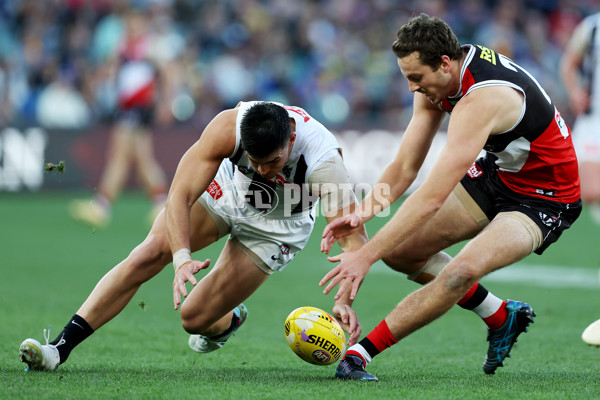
(232,280)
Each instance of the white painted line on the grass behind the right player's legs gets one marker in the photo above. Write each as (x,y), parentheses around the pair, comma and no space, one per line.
(537,275)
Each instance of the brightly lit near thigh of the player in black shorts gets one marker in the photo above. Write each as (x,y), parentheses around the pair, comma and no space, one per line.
(508,238)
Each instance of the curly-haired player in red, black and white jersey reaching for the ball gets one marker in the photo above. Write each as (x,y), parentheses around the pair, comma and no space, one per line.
(515,200)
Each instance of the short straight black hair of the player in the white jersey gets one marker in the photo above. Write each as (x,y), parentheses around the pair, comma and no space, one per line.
(265,127)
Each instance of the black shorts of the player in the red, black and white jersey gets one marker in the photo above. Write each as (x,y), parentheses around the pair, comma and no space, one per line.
(493,197)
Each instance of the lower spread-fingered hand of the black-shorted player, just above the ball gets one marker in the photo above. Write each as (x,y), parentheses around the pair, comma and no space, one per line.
(352,269)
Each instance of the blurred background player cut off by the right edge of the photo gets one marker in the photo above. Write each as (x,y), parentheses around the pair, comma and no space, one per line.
(580,70)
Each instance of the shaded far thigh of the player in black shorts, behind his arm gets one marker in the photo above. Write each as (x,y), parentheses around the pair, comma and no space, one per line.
(451,224)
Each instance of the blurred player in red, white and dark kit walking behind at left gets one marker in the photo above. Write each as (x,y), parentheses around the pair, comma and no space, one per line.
(131,145)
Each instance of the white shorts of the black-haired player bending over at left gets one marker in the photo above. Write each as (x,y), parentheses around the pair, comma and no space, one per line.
(271,243)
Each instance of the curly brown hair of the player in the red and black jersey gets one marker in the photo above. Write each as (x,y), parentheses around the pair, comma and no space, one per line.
(431,37)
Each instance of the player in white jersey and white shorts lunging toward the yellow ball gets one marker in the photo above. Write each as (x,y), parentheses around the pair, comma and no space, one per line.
(244,177)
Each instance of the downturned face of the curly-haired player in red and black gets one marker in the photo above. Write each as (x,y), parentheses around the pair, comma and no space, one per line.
(423,79)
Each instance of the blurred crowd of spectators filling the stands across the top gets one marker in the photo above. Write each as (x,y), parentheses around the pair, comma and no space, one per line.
(332,57)
